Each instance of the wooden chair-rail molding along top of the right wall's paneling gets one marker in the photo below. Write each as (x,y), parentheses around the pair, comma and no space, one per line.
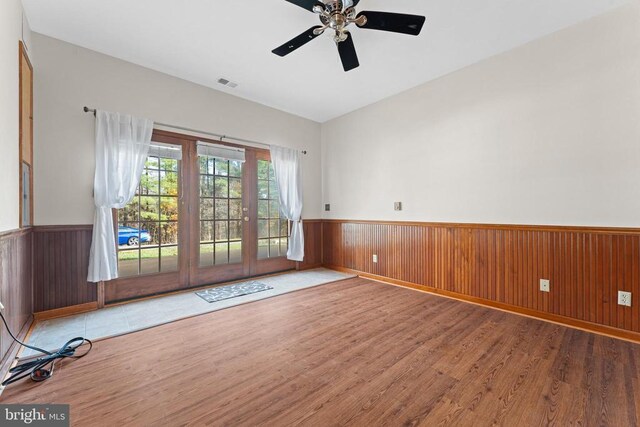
(483,226)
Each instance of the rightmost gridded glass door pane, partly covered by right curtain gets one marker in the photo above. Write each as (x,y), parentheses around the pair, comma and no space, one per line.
(273,230)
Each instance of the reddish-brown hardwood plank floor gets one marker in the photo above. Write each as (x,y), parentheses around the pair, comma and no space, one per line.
(354,352)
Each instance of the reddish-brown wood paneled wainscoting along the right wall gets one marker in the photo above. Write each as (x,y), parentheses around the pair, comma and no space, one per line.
(501,266)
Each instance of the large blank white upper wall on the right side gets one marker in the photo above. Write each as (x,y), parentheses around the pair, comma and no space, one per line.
(548,133)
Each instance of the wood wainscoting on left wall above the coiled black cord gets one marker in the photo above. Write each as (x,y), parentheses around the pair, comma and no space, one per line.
(16,290)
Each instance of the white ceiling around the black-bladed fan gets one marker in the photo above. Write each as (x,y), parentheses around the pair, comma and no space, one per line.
(202,40)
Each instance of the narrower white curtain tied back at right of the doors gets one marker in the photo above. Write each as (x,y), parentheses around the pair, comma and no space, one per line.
(286,165)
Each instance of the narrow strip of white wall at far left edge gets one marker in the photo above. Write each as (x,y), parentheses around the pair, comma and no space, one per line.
(11,25)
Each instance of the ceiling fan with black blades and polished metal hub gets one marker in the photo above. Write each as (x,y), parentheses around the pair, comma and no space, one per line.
(337,15)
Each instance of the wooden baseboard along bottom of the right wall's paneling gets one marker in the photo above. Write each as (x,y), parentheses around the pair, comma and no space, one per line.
(548,317)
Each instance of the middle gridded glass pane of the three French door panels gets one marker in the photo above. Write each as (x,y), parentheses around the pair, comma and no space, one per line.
(220,211)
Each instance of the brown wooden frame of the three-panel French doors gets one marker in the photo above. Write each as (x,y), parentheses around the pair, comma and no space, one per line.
(190,275)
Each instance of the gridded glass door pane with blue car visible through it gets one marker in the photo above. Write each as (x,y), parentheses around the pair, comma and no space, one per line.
(148,225)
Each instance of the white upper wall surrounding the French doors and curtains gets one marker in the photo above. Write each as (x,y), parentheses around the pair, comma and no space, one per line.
(68,77)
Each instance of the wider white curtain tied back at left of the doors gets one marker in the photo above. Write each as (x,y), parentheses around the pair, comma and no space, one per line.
(122,146)
